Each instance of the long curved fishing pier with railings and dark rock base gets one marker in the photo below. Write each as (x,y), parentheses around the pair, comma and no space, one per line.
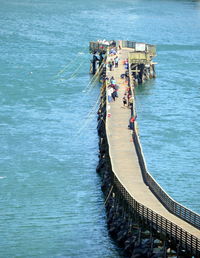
(142,217)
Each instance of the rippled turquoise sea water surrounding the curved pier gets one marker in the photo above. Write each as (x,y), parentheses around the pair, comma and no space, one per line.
(51,204)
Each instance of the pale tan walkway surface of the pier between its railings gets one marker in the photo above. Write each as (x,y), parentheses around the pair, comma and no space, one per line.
(123,155)
